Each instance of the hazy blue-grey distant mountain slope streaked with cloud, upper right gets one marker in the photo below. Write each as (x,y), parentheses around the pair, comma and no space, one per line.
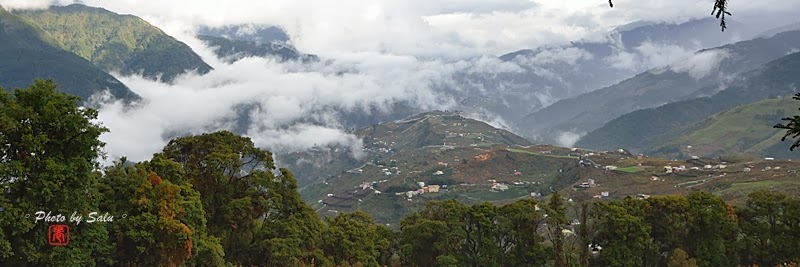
(547,74)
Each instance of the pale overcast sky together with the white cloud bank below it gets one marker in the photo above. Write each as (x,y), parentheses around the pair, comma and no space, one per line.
(390,51)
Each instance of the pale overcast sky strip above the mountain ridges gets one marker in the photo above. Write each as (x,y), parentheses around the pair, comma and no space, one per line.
(453,28)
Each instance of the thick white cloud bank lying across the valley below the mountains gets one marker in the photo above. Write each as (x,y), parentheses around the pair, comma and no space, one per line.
(292,106)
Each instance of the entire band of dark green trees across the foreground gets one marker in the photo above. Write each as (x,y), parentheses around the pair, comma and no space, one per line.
(217,200)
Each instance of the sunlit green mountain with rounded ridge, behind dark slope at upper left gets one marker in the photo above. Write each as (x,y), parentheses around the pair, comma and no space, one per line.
(116,43)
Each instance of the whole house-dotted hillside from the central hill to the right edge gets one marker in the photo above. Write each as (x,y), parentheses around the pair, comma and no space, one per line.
(443,155)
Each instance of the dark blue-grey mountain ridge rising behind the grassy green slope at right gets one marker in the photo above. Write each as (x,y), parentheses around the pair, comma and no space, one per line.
(659,130)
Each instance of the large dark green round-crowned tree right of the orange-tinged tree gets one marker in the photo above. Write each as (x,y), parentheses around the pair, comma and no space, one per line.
(257,213)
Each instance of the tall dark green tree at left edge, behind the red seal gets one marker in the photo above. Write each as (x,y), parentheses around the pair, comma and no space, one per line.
(48,163)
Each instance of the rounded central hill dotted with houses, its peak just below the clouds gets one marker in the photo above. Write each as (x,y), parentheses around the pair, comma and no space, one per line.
(441,148)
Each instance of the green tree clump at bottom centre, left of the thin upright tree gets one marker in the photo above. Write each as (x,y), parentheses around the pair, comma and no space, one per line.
(450,233)
